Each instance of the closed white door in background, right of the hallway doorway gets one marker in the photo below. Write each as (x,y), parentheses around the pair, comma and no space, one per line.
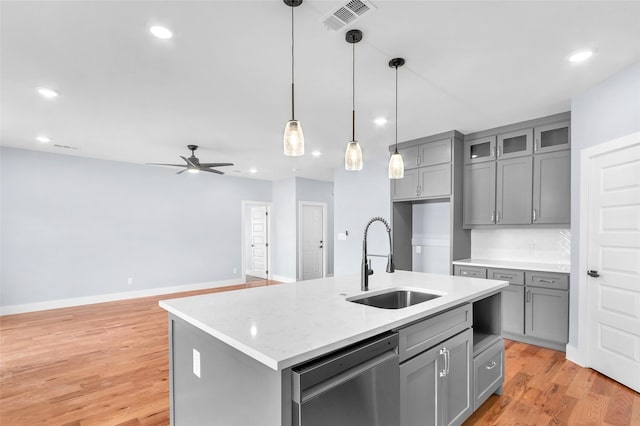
(312,241)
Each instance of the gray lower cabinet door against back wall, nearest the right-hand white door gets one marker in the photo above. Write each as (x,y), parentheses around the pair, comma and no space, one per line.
(547,314)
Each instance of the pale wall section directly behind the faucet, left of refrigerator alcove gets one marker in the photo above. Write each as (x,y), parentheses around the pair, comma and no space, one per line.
(359,196)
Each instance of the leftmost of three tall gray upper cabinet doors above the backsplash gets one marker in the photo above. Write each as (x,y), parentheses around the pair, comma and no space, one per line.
(479,194)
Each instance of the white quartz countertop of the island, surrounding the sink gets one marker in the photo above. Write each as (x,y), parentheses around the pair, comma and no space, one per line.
(286,324)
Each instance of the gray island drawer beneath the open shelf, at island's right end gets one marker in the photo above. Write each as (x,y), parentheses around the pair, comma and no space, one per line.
(488,371)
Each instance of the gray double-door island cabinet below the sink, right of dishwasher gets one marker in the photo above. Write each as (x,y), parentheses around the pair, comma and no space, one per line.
(436,386)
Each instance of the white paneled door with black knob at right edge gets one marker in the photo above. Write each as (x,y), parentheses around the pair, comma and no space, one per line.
(614,252)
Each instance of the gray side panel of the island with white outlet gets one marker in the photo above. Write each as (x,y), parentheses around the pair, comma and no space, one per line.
(233,389)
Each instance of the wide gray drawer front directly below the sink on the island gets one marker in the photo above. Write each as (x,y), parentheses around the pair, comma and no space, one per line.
(422,335)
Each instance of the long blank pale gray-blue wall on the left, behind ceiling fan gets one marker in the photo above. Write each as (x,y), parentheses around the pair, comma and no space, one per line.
(75,227)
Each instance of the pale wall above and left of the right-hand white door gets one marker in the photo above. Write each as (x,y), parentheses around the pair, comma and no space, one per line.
(606,111)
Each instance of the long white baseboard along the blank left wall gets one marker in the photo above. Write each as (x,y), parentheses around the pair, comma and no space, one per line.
(112,297)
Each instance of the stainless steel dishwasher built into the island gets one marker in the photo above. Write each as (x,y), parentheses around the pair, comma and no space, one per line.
(357,386)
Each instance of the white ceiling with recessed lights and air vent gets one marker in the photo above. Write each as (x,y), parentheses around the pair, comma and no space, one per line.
(223,81)
